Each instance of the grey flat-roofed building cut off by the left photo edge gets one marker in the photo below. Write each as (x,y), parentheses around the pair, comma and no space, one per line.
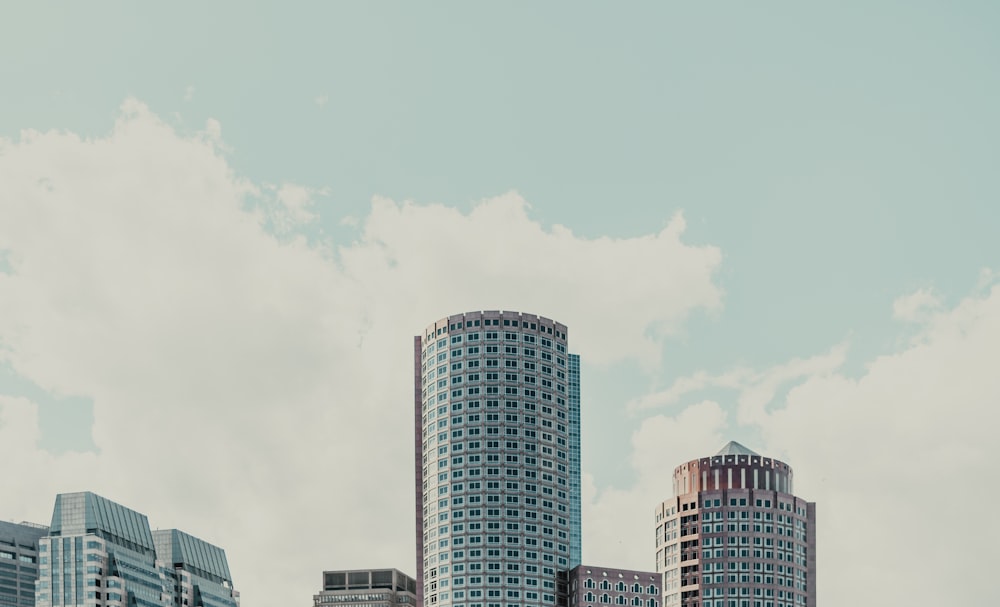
(19,563)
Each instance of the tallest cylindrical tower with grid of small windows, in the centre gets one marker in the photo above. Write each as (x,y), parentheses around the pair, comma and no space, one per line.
(497,443)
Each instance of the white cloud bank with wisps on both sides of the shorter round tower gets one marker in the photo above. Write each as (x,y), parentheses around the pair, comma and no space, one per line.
(901,461)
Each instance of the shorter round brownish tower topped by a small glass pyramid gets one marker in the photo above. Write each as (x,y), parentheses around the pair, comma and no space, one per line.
(735,534)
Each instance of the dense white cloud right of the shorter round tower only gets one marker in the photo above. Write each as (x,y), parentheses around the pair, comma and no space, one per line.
(900,452)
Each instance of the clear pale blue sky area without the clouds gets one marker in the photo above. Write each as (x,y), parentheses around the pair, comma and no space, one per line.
(839,156)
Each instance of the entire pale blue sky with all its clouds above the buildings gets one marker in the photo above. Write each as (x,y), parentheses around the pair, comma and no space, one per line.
(221,226)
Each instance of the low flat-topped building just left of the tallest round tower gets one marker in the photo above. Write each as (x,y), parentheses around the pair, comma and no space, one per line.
(366,588)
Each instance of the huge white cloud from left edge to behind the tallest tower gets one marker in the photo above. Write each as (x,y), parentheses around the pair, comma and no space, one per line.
(252,388)
